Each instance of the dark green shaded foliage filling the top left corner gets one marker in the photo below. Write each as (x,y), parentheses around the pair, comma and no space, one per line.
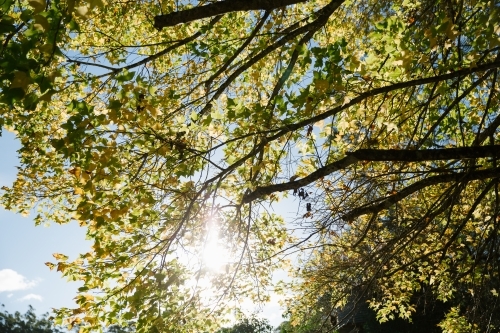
(28,45)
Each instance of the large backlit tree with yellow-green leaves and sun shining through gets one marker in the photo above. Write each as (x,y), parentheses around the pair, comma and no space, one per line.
(166,123)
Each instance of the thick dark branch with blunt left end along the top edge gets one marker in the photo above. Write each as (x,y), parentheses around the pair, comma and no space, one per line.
(218,8)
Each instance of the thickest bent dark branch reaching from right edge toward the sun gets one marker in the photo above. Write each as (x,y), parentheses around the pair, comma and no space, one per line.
(379,155)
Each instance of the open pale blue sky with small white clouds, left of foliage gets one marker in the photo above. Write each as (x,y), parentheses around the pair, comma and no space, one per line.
(24,248)
